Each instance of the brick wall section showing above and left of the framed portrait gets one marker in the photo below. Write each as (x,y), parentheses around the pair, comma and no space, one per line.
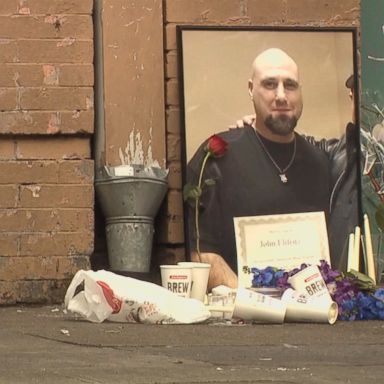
(323,13)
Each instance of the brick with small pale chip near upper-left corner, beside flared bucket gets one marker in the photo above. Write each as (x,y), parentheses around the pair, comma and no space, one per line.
(56,196)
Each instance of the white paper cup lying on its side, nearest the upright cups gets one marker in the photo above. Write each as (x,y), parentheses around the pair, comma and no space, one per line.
(256,307)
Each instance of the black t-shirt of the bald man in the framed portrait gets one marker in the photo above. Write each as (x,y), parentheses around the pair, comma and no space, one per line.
(247,183)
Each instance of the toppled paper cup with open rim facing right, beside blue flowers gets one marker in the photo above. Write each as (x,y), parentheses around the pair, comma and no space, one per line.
(302,308)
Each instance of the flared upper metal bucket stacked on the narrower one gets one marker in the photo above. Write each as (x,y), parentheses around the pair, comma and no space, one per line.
(130,196)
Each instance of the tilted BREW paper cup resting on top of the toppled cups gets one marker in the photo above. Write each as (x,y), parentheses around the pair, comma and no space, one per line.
(310,282)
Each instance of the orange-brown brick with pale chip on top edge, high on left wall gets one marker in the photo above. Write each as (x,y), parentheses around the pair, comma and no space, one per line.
(54,51)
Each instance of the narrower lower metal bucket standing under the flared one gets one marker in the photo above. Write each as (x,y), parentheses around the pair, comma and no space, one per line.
(129,243)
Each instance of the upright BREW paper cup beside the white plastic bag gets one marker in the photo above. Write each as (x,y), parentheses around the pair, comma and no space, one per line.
(177,279)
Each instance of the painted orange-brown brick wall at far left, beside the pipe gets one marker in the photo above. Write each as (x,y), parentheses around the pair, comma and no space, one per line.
(46,123)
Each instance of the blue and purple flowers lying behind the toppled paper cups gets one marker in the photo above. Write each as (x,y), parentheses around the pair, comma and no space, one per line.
(355,293)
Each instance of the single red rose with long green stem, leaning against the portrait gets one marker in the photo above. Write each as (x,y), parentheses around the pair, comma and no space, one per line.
(215,147)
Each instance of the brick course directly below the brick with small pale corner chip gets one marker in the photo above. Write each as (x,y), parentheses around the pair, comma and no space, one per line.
(45,220)
